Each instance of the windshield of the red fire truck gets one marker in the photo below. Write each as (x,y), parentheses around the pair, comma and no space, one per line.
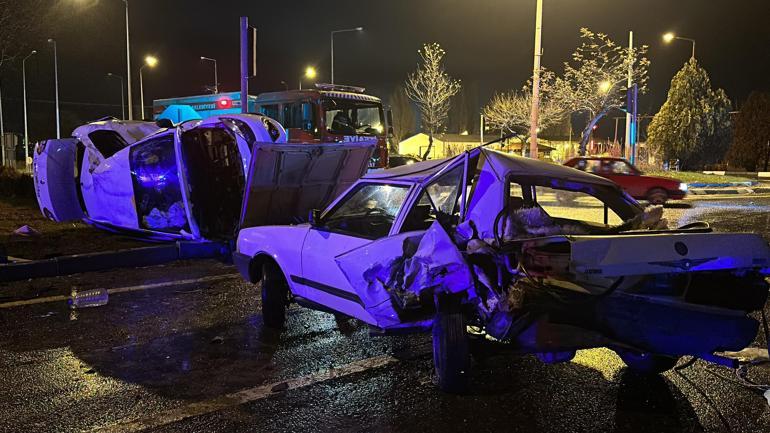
(350,117)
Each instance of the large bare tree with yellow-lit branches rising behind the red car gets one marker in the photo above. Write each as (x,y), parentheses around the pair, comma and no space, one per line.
(595,82)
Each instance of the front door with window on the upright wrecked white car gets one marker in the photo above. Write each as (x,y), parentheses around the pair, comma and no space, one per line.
(366,213)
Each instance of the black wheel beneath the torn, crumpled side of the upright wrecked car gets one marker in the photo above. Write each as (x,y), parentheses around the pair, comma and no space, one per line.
(450,350)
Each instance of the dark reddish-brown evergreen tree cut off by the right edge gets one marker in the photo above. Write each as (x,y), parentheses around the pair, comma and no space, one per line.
(751,144)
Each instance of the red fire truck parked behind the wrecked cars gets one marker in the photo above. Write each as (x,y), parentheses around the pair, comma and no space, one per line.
(329,113)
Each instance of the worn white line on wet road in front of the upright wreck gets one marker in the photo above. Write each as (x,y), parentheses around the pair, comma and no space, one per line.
(244,396)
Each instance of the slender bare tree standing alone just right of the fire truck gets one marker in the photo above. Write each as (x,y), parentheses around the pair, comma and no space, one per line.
(431,88)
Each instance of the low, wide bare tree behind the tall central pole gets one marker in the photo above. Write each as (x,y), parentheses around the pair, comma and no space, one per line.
(510,111)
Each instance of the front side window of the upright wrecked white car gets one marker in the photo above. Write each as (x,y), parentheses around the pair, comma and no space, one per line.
(369,211)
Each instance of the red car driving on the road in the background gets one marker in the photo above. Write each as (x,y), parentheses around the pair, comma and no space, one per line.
(656,190)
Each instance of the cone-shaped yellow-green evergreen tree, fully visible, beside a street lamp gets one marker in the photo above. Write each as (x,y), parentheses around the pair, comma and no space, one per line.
(693,125)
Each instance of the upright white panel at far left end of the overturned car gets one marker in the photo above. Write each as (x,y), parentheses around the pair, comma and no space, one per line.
(56,184)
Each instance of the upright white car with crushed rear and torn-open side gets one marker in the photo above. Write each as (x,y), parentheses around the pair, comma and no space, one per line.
(480,245)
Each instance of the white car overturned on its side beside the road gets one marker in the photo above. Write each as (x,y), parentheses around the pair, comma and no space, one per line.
(179,183)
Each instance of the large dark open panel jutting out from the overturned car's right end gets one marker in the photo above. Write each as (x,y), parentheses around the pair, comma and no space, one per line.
(286,181)
